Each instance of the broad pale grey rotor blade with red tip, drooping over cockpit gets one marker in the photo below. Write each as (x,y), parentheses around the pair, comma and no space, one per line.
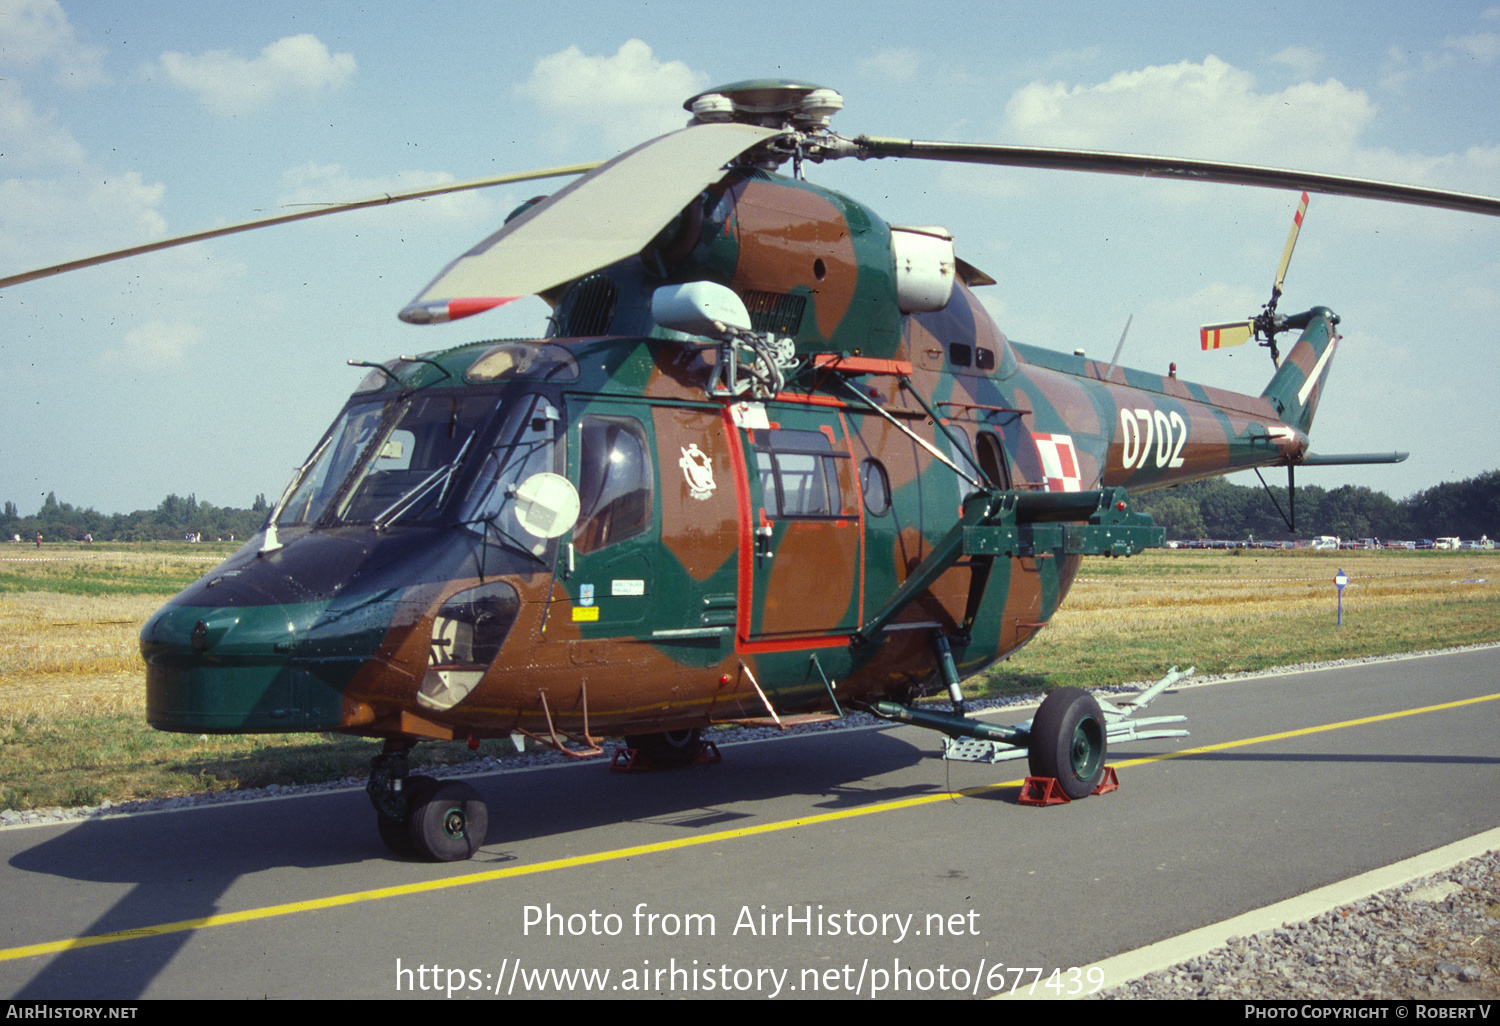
(604,217)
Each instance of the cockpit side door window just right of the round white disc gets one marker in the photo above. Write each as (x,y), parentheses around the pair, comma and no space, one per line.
(616,481)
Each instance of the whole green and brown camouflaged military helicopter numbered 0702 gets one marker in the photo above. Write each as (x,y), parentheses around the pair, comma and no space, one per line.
(772,461)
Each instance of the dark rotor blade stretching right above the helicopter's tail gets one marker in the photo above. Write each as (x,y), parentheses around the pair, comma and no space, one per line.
(1156,167)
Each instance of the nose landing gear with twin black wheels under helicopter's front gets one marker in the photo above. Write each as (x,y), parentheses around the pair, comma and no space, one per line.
(421,817)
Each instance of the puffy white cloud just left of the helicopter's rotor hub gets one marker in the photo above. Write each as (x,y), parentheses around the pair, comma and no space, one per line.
(631,97)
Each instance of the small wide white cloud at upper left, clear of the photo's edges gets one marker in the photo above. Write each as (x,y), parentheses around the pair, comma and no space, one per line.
(229,85)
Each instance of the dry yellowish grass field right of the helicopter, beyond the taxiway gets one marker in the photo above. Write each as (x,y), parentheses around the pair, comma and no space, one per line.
(1223,613)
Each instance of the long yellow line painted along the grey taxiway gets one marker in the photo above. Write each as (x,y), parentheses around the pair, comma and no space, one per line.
(274,911)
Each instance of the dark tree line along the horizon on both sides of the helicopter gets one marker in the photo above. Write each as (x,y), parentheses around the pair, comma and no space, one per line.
(1211,509)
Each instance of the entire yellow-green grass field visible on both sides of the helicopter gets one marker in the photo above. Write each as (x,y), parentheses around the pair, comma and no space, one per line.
(73,700)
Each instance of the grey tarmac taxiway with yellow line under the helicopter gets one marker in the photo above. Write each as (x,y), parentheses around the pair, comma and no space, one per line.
(827,865)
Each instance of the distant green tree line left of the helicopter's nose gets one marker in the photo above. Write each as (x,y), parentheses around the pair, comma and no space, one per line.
(175,518)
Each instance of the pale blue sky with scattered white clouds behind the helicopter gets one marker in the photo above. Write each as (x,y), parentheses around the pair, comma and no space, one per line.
(214,370)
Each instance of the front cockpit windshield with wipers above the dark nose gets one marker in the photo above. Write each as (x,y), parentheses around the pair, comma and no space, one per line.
(391,460)
